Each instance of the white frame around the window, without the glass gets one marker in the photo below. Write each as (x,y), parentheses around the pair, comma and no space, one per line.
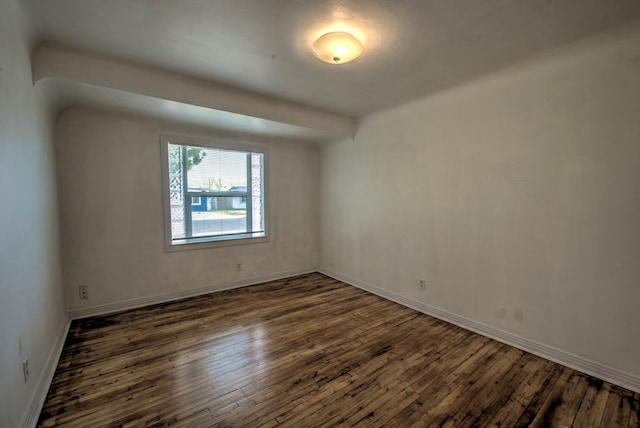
(211,241)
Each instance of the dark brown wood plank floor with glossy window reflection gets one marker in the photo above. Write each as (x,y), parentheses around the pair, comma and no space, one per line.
(311,351)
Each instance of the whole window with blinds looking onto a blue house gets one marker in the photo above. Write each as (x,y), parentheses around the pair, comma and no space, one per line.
(214,193)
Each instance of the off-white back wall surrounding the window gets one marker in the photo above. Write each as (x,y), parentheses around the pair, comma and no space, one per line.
(112,214)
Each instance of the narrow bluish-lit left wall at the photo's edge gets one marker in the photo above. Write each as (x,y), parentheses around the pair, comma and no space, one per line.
(31,303)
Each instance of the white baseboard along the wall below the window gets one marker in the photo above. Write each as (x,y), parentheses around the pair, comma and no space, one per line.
(90,311)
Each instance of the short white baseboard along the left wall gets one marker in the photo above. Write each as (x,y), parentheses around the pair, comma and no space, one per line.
(31,416)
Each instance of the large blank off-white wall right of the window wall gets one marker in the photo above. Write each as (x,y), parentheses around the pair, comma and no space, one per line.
(516,196)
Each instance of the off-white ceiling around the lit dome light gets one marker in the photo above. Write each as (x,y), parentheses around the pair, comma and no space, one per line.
(412,47)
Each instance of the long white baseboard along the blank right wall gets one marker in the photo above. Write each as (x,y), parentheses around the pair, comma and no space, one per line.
(576,362)
